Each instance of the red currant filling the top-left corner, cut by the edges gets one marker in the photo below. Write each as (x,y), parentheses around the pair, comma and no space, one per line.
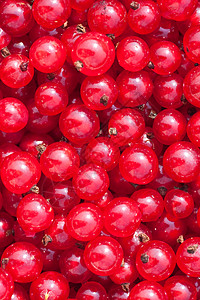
(16,17)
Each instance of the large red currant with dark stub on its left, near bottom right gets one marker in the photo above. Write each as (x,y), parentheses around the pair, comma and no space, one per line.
(155,260)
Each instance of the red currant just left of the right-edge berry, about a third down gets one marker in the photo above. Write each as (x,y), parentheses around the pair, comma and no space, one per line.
(168,90)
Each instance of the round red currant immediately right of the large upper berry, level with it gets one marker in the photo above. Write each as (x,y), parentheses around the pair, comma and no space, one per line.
(133,53)
